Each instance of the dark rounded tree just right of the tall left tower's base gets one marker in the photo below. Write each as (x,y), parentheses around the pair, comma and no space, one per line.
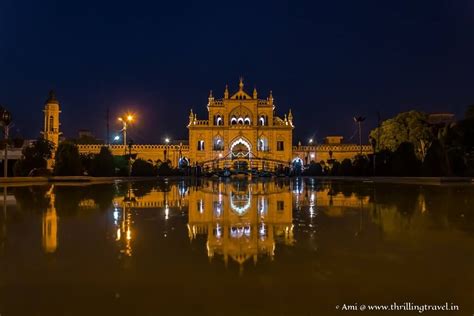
(68,160)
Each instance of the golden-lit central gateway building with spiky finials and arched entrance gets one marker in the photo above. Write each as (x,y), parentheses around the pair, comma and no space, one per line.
(241,127)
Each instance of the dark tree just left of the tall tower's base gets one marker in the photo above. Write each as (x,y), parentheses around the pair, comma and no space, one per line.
(34,156)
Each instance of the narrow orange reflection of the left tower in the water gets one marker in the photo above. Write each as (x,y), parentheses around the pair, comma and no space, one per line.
(50,224)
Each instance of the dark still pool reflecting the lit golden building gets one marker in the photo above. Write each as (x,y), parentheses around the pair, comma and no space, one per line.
(235,247)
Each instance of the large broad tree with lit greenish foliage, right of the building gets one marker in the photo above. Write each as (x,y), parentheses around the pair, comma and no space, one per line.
(411,127)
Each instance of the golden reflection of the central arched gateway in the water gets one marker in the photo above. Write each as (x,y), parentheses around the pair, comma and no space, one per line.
(241,220)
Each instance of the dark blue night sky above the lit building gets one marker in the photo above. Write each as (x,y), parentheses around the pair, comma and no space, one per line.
(327,60)
